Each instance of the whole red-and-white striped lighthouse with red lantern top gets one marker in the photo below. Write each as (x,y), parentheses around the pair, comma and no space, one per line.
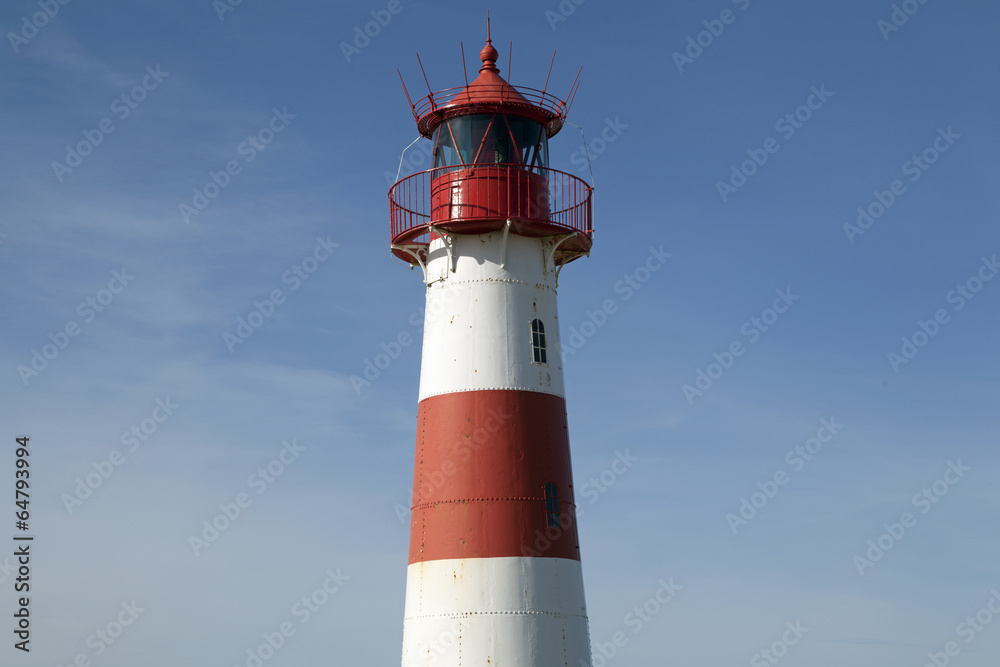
(494,574)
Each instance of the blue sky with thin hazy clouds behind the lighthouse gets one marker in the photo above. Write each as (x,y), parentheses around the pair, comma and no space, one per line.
(302,210)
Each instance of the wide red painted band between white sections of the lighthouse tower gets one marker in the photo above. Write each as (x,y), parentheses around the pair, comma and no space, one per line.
(482,461)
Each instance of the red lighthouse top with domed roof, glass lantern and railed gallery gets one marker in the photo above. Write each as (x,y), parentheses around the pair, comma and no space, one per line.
(491,169)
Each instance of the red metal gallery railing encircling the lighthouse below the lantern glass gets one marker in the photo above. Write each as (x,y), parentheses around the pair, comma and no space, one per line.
(553,201)
